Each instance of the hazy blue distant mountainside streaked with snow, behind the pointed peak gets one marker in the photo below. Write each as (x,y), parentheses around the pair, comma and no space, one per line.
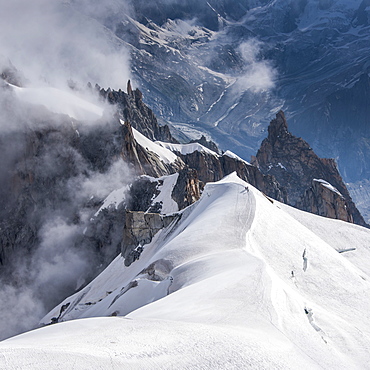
(242,62)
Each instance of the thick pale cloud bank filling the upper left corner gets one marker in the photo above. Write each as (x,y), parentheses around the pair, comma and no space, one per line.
(50,40)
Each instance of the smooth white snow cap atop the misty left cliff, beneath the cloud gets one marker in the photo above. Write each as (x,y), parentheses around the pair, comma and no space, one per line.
(59,101)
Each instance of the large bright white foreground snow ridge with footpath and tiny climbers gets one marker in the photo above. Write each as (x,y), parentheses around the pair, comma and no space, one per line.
(240,281)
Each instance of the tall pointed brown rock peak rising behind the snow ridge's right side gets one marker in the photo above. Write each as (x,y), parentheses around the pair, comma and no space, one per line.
(293,163)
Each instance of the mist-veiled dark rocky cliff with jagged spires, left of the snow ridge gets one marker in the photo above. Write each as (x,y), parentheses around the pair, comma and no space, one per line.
(52,175)
